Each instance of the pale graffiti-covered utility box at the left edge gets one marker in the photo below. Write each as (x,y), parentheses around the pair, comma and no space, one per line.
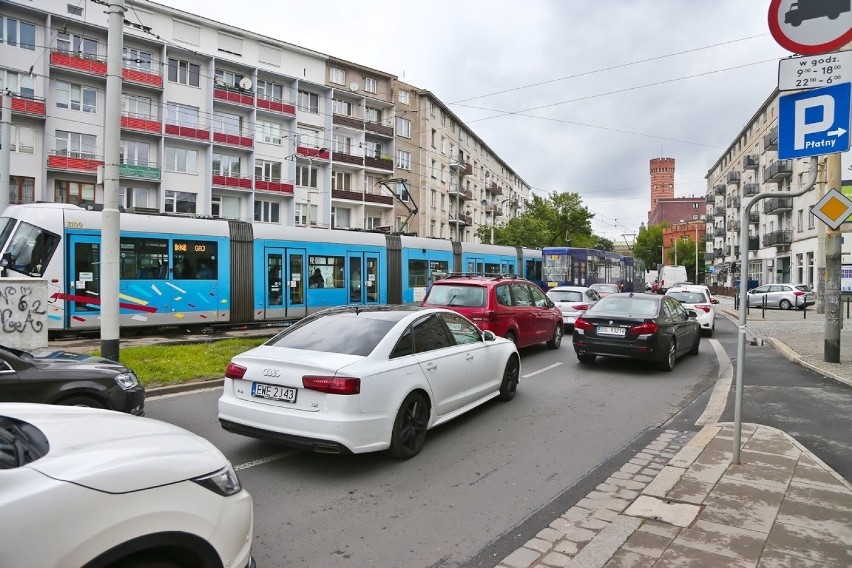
(23,313)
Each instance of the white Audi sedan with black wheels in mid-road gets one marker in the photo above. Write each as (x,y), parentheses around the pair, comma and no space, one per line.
(362,379)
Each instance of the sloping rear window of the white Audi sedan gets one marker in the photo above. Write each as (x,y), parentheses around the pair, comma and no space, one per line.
(348,333)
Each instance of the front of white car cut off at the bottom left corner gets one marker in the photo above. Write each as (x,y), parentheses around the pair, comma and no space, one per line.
(97,488)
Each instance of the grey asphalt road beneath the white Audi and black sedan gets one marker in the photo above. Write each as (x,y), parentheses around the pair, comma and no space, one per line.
(481,481)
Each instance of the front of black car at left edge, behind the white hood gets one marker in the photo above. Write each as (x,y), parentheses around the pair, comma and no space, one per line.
(73,379)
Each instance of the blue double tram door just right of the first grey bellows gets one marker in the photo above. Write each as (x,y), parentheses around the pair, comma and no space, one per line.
(284,284)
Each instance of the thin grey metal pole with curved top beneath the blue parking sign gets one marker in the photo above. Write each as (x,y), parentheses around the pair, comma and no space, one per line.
(738,398)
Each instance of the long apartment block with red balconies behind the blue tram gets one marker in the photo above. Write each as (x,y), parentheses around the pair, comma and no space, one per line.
(222,122)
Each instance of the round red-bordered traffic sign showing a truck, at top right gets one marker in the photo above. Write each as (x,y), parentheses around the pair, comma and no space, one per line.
(811,27)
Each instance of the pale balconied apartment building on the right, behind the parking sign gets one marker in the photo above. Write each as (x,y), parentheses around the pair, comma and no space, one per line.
(782,233)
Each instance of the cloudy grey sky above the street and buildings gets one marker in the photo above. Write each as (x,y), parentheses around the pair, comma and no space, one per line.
(573,95)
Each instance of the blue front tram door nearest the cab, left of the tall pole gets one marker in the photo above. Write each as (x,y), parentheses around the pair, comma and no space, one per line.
(83,281)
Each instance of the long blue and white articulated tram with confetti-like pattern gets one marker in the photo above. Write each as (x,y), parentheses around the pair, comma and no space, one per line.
(177,270)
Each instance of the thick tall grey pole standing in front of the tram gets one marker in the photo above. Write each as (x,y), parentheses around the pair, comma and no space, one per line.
(111,218)
